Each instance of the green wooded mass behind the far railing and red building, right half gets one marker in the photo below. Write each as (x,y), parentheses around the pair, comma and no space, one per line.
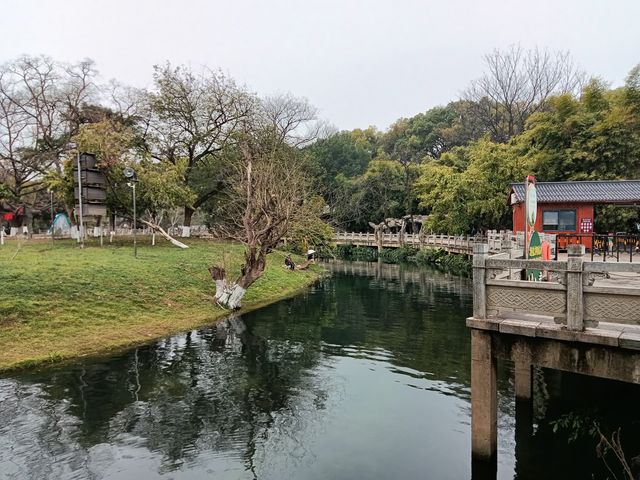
(455,164)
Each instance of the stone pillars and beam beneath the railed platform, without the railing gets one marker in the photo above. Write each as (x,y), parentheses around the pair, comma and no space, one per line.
(600,358)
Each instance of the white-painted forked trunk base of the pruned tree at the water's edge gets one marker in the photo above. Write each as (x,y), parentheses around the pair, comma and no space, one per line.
(230,294)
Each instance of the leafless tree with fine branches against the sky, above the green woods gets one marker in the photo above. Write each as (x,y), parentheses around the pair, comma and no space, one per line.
(516,84)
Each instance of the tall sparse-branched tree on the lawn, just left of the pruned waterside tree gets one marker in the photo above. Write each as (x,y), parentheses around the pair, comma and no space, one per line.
(193,117)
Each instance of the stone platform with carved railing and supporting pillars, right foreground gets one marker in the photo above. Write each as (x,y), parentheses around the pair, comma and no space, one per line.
(583,318)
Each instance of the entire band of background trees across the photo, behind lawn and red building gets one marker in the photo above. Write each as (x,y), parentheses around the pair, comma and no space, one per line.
(453,163)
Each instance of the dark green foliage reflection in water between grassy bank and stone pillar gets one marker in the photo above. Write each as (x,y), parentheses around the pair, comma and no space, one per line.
(414,317)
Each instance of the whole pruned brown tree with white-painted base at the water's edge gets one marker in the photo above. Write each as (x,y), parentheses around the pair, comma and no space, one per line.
(268,192)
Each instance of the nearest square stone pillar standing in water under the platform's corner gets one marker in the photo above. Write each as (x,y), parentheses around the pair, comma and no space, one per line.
(484,398)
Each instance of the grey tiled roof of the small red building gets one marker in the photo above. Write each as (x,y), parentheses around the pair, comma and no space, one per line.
(597,191)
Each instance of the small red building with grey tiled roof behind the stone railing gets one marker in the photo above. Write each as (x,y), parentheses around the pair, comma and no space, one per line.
(567,207)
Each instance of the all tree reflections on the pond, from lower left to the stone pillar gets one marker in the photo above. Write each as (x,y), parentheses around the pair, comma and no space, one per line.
(245,391)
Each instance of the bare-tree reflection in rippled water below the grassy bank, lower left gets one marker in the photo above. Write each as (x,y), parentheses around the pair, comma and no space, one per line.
(217,390)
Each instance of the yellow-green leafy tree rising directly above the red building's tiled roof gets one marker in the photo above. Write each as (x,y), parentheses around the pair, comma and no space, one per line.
(596,136)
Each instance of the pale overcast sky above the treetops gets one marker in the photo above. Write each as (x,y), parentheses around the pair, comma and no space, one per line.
(359,62)
